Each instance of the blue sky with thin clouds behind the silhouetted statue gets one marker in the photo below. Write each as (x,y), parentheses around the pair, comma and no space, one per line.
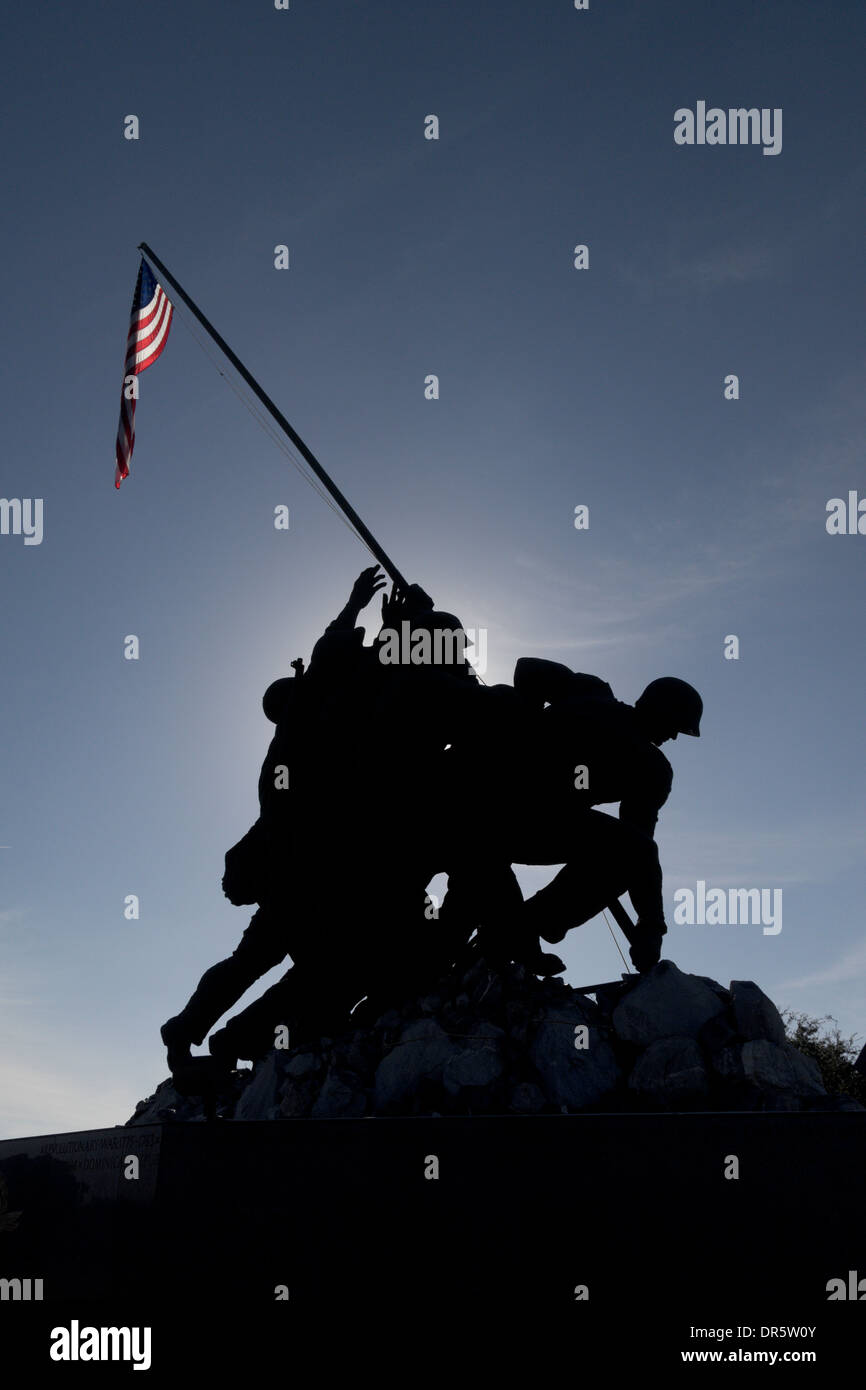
(603,387)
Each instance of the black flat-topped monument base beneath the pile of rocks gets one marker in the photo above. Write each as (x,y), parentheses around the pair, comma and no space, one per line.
(618,1235)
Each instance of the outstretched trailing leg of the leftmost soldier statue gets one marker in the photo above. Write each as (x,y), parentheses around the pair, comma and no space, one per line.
(262,947)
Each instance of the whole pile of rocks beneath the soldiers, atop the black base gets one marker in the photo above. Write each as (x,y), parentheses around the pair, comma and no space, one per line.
(507,1043)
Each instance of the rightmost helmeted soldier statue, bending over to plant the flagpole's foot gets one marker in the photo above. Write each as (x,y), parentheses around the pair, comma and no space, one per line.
(590,750)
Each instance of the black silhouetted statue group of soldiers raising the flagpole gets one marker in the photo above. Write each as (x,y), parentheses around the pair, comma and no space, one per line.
(395,758)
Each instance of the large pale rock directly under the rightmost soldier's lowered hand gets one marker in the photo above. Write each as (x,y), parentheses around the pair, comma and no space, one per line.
(665,1003)
